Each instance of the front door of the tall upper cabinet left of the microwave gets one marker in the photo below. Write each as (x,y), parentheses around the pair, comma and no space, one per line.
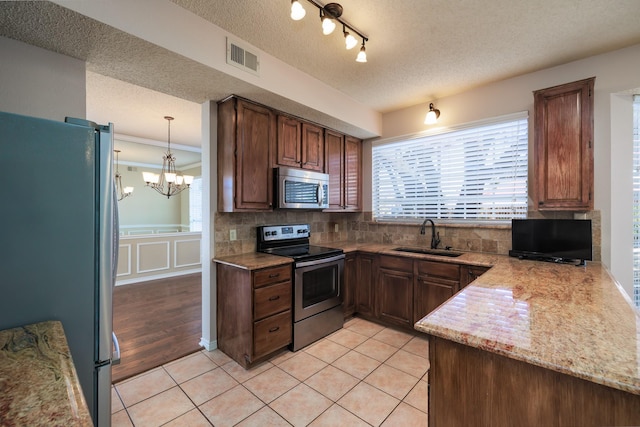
(253,178)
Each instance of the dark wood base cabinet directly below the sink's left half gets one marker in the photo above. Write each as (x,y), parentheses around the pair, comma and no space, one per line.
(394,293)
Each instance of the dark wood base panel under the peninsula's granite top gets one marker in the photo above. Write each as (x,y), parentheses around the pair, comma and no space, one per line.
(468,386)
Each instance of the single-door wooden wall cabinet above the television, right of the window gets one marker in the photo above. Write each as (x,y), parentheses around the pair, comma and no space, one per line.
(563,146)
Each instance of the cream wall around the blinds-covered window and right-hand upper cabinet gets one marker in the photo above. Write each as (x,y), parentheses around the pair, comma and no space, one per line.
(616,72)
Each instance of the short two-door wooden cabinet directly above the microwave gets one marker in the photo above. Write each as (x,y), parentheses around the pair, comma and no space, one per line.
(299,144)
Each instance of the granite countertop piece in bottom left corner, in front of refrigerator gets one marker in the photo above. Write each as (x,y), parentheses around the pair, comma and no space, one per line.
(38,382)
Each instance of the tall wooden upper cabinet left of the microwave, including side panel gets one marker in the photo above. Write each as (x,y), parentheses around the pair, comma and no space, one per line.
(246,133)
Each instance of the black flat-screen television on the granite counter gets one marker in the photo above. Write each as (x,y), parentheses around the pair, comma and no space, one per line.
(557,240)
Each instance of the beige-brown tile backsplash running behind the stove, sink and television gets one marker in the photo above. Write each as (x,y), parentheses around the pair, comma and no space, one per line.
(360,228)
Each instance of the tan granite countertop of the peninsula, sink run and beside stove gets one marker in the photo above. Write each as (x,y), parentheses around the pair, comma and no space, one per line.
(573,320)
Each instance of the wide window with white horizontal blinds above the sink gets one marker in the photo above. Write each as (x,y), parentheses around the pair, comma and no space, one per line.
(476,172)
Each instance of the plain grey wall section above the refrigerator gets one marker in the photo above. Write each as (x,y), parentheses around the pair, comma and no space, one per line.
(40,83)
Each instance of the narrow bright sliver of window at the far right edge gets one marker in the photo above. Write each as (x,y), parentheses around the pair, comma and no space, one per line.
(636,200)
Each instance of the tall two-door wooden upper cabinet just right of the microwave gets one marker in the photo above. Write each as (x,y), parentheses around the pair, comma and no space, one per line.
(343,159)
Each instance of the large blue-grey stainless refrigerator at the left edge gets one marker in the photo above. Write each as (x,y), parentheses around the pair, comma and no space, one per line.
(58,243)
